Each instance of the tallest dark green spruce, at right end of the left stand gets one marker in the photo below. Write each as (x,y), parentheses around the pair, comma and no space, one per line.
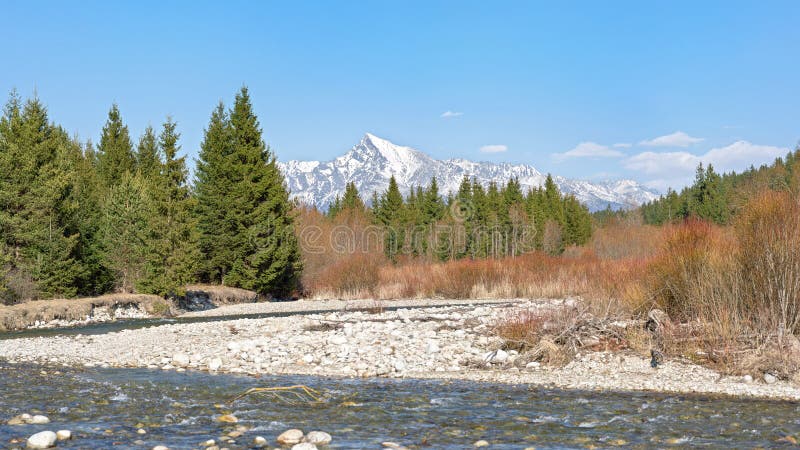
(265,252)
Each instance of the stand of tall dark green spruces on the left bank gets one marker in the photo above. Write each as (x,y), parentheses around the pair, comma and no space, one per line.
(79,219)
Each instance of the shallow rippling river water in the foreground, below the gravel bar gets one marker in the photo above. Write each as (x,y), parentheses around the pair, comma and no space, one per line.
(104,408)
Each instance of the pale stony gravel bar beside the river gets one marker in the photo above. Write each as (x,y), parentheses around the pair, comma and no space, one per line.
(416,341)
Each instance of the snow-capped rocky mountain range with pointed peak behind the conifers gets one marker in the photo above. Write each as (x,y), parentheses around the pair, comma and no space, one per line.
(373,161)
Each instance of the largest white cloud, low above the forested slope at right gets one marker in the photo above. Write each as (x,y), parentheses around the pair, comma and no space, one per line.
(676,169)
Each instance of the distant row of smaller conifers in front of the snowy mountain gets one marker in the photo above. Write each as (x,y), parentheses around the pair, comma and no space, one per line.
(478,222)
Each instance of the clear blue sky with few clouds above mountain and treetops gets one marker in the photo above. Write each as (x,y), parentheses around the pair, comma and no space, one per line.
(641,90)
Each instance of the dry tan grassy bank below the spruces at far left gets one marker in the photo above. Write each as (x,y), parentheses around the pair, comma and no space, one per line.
(23,315)
